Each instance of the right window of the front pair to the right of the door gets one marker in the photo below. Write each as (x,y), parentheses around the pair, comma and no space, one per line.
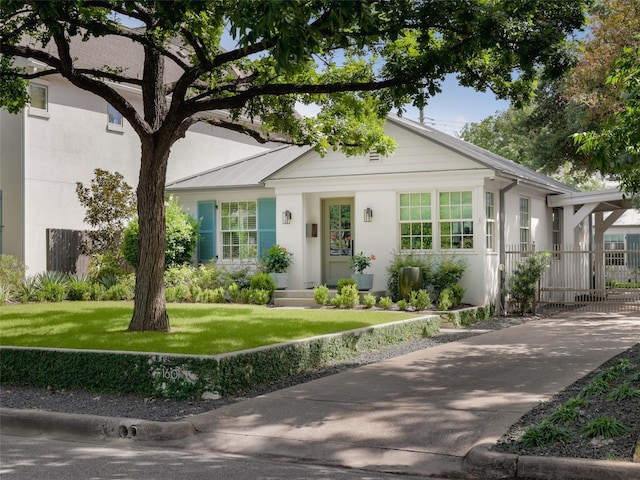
(456,220)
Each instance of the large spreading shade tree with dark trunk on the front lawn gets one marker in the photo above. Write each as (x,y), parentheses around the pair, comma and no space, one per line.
(355,60)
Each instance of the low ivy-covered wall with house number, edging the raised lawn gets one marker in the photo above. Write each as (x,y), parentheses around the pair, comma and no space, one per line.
(189,376)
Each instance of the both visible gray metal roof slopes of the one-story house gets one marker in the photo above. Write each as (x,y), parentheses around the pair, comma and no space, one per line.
(253,171)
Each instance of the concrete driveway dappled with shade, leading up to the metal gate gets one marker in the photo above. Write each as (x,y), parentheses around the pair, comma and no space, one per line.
(431,413)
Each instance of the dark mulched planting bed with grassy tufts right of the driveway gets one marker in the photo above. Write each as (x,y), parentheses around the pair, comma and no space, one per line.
(597,417)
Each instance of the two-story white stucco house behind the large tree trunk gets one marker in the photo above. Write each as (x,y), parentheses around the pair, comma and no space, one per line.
(64,135)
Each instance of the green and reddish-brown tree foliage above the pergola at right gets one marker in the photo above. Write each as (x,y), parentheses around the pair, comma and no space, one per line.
(592,103)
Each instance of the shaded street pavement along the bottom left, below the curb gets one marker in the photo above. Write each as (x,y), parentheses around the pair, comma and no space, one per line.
(45,459)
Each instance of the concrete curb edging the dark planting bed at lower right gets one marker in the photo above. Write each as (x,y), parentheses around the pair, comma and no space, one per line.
(492,465)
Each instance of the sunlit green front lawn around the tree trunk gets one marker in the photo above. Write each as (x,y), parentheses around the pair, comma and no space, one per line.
(201,329)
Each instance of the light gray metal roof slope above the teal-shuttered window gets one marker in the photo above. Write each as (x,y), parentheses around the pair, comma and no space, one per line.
(247,172)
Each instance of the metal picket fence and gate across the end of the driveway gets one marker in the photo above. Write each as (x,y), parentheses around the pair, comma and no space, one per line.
(595,278)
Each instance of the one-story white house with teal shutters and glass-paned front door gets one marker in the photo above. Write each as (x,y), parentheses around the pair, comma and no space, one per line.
(435,195)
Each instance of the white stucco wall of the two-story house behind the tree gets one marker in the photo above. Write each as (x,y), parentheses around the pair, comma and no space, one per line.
(68,144)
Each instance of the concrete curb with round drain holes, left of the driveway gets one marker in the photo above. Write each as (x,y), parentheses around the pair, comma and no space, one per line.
(73,426)
